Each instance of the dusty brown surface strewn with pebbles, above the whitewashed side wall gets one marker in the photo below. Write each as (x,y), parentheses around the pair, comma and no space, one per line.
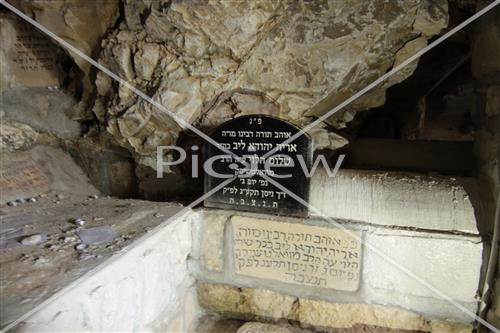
(30,273)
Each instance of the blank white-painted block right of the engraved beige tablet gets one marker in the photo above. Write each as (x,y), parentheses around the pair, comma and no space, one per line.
(450,264)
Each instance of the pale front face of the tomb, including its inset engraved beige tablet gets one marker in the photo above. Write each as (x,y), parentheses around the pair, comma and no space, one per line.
(435,259)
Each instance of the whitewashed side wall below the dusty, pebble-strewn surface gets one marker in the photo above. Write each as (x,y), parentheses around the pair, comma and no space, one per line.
(145,287)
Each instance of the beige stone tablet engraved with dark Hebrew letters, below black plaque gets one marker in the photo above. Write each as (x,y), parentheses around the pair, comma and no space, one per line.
(296,253)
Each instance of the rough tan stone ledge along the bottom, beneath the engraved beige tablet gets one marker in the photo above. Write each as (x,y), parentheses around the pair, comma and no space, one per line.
(270,306)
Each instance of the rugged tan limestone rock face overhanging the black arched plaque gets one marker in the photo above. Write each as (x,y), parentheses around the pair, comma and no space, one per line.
(211,61)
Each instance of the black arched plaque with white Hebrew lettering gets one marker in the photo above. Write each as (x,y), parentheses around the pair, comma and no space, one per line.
(250,138)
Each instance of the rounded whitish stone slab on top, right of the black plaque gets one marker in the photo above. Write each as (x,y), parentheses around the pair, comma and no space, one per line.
(395,199)
